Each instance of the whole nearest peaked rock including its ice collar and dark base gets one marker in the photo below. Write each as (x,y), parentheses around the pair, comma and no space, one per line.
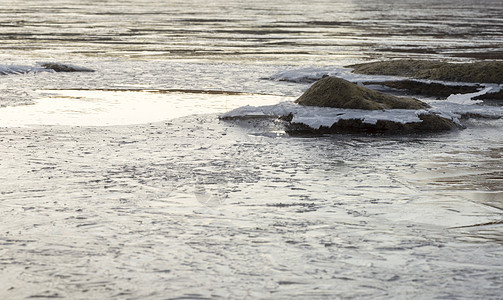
(334,105)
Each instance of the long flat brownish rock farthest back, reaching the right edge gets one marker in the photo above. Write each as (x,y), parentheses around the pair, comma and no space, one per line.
(480,72)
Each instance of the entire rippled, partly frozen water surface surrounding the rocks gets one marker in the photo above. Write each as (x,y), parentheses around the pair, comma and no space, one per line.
(191,207)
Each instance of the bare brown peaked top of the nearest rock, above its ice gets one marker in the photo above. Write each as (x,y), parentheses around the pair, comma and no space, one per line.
(340,93)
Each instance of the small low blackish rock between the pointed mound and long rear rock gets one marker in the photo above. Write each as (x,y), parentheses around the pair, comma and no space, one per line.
(414,87)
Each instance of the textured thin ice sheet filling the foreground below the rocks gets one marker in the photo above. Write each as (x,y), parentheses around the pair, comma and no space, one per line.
(199,208)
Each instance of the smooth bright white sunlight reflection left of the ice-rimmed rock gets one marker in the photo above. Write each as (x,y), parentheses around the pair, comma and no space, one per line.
(107,108)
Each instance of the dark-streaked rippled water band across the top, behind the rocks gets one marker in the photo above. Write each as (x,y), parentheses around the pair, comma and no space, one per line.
(316,32)
